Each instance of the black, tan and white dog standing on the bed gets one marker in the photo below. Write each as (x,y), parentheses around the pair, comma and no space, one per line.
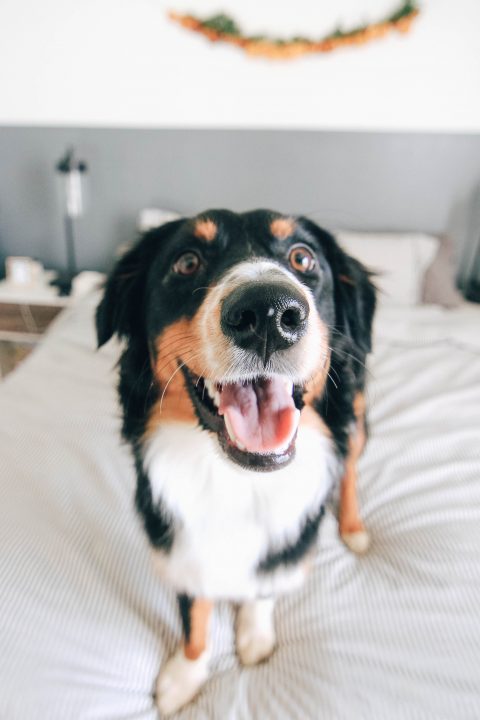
(241,381)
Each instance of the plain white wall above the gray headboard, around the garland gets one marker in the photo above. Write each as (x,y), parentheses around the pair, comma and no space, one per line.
(122,63)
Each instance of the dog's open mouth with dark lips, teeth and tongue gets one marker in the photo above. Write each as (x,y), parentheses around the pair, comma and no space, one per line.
(256,421)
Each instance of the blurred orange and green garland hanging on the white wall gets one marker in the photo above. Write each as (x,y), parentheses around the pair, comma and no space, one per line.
(222,28)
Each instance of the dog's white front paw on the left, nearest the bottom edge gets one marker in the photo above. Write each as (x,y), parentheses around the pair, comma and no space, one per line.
(179,681)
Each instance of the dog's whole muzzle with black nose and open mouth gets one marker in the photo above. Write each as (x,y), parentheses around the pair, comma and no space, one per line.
(269,342)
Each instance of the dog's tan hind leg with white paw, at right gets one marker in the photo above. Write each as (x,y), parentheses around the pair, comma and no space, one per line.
(352,529)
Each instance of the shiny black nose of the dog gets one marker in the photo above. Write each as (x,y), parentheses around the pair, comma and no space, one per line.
(265,317)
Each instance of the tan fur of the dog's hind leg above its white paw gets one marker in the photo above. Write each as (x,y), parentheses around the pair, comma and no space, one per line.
(350,521)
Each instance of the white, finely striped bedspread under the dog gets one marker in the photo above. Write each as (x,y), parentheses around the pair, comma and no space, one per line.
(85,624)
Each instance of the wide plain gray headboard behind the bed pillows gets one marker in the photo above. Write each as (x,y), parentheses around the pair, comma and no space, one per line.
(374,181)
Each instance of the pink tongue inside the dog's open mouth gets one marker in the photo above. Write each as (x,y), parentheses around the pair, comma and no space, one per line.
(260,416)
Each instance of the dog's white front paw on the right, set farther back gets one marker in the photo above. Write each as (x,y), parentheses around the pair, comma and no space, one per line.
(255,631)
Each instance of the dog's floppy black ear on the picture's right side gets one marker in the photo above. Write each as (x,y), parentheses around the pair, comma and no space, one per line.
(354,291)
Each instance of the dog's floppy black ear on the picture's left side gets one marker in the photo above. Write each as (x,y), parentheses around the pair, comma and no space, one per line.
(120,309)
